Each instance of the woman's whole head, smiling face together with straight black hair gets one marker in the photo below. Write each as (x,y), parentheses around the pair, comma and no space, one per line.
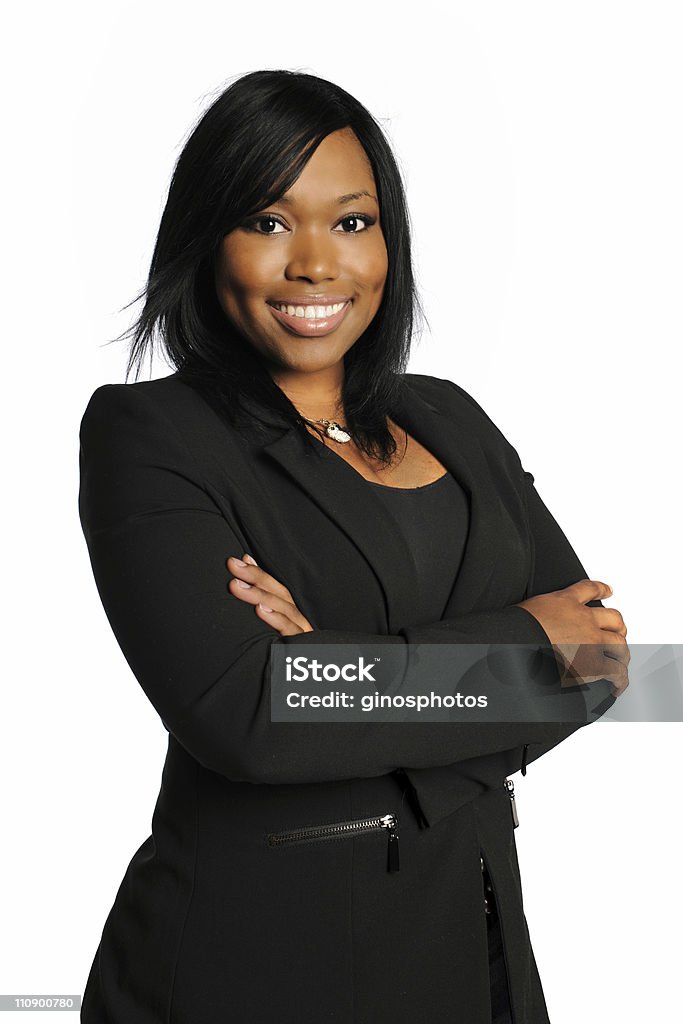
(286,199)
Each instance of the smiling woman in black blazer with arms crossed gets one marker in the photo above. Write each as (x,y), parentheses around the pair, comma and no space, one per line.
(290,484)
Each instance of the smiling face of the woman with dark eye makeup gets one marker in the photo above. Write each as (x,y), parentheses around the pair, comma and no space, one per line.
(303,279)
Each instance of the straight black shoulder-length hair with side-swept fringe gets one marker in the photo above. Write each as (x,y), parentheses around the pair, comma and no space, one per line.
(245,152)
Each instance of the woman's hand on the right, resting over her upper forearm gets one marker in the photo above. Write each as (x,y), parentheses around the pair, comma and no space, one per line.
(589,644)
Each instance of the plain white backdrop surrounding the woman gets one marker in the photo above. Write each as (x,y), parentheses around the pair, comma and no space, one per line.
(542,150)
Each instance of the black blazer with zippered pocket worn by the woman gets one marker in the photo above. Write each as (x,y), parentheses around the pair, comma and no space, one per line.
(235,908)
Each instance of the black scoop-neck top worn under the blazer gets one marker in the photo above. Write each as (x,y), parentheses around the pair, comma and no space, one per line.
(435,520)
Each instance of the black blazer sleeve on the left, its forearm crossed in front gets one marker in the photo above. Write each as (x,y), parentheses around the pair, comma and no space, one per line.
(158,545)
